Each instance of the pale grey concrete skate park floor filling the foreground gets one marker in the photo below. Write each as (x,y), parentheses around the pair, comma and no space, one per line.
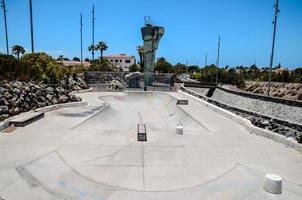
(92,152)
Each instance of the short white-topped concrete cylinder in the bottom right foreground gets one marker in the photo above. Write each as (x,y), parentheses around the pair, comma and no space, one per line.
(273,184)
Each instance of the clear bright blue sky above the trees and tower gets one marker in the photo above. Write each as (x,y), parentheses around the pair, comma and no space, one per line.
(192,28)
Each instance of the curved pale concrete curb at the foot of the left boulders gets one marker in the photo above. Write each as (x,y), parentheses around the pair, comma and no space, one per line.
(5,123)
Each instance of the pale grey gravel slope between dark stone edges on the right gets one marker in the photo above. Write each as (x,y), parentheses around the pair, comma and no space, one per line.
(271,109)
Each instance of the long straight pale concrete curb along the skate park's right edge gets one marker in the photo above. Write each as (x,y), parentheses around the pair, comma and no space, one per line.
(248,125)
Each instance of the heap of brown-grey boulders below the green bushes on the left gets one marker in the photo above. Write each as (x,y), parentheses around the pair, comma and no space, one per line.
(17,97)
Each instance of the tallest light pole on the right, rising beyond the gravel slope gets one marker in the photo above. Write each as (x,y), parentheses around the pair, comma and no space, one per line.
(273,47)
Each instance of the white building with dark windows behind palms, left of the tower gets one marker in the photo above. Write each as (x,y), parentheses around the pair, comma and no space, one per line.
(122,61)
